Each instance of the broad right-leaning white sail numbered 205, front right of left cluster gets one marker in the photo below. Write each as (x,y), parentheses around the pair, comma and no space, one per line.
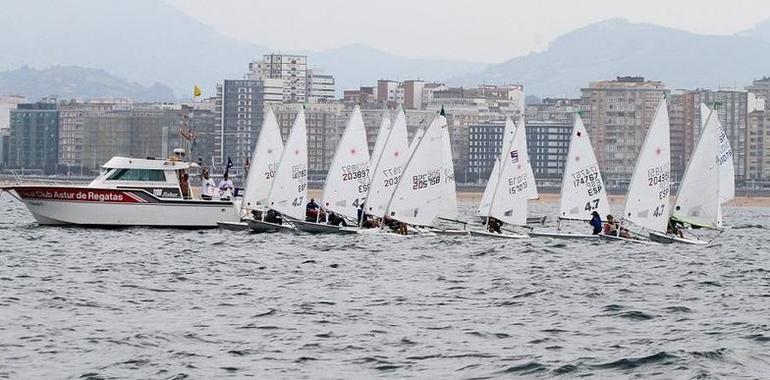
(417,197)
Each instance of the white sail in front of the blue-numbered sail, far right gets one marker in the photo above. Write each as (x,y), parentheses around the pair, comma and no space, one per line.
(697,201)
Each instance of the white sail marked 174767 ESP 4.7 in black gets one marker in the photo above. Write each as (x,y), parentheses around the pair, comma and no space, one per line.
(582,189)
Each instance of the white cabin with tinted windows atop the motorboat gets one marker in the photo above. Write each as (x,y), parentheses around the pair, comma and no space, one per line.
(161,178)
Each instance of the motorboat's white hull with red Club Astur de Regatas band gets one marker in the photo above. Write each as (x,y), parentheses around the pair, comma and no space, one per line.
(94,207)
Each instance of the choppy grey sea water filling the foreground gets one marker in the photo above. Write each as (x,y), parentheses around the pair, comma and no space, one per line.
(164,303)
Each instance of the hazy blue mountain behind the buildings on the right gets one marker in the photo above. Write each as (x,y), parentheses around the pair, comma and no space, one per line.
(617,47)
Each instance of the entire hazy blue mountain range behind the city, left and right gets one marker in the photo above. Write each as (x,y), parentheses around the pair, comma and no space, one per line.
(149,44)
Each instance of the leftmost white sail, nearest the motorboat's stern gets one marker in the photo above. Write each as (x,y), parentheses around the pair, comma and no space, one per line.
(264,163)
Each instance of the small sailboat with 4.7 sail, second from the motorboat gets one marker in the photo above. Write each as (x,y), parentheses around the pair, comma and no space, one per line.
(288,191)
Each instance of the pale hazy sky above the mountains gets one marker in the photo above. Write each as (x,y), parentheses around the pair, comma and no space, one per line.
(482,30)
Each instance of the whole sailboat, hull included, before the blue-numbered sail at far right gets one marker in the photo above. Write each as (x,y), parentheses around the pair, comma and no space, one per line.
(698,202)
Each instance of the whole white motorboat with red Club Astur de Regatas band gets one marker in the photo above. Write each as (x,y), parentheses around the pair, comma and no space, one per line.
(130,192)
